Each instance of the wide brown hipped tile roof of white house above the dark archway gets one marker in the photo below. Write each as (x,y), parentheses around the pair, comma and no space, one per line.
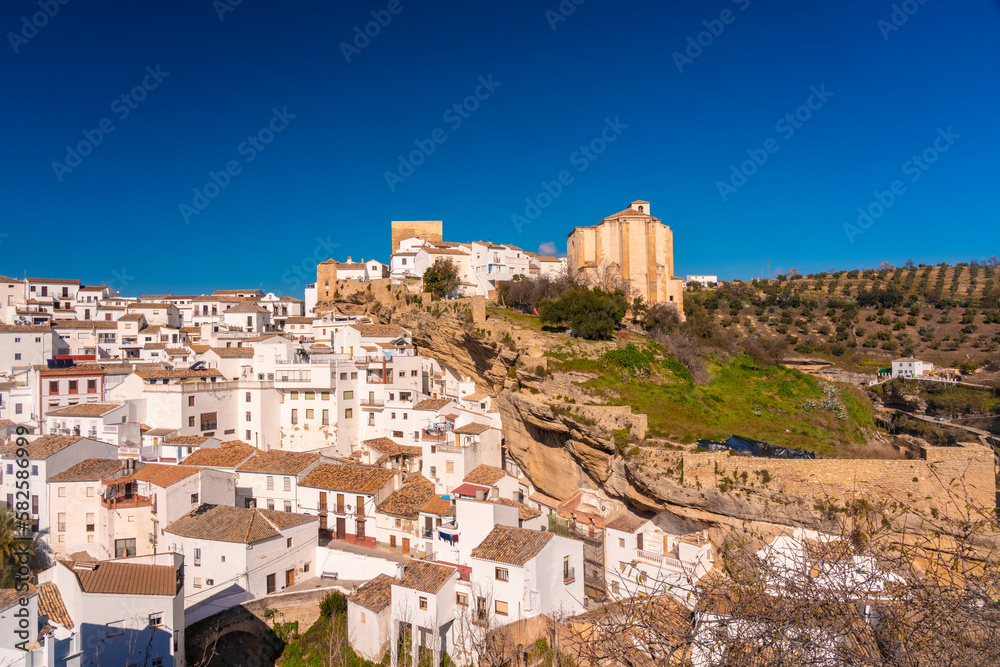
(223,523)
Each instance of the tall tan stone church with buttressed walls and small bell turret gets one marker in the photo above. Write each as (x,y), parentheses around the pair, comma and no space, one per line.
(630,247)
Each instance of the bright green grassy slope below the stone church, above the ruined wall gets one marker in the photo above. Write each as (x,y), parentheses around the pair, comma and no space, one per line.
(765,403)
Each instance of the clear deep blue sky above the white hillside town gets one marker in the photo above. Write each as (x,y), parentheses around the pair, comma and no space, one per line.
(681,124)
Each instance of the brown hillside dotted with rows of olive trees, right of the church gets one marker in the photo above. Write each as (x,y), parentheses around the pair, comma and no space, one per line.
(949,315)
